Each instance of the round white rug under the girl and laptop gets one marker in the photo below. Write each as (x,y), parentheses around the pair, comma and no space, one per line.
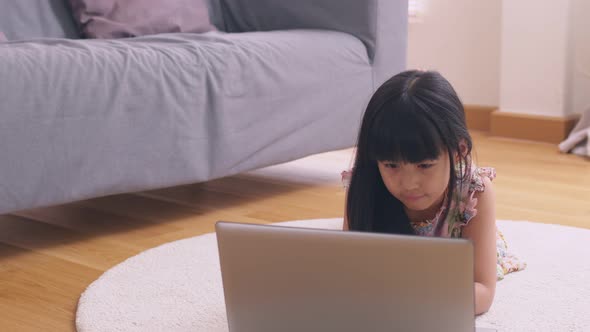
(177,286)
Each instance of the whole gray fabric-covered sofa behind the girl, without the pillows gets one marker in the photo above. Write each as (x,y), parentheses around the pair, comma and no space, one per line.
(282,79)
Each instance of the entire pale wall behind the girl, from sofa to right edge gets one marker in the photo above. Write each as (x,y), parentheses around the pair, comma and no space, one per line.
(525,56)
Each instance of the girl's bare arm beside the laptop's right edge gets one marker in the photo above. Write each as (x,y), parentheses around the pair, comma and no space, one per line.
(482,231)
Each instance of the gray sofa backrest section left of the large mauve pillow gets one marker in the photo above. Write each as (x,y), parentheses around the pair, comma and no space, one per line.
(27,19)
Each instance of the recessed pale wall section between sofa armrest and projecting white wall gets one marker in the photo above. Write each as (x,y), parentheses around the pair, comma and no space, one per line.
(461,39)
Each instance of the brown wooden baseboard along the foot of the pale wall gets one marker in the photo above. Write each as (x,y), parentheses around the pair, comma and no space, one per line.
(538,128)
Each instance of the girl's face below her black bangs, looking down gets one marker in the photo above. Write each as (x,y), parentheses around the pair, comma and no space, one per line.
(418,186)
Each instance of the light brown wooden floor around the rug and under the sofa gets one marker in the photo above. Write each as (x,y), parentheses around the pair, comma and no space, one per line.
(49,256)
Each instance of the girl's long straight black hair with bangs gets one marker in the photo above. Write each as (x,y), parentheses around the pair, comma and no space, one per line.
(412,117)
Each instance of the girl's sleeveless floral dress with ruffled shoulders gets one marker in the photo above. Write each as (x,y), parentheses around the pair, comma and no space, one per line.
(462,210)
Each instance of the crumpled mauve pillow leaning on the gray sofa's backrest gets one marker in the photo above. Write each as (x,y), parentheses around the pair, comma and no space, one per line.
(131,18)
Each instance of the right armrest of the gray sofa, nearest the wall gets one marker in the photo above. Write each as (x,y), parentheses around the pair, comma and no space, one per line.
(380,24)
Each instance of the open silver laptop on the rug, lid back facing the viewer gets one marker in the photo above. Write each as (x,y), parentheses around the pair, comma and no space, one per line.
(281,279)
